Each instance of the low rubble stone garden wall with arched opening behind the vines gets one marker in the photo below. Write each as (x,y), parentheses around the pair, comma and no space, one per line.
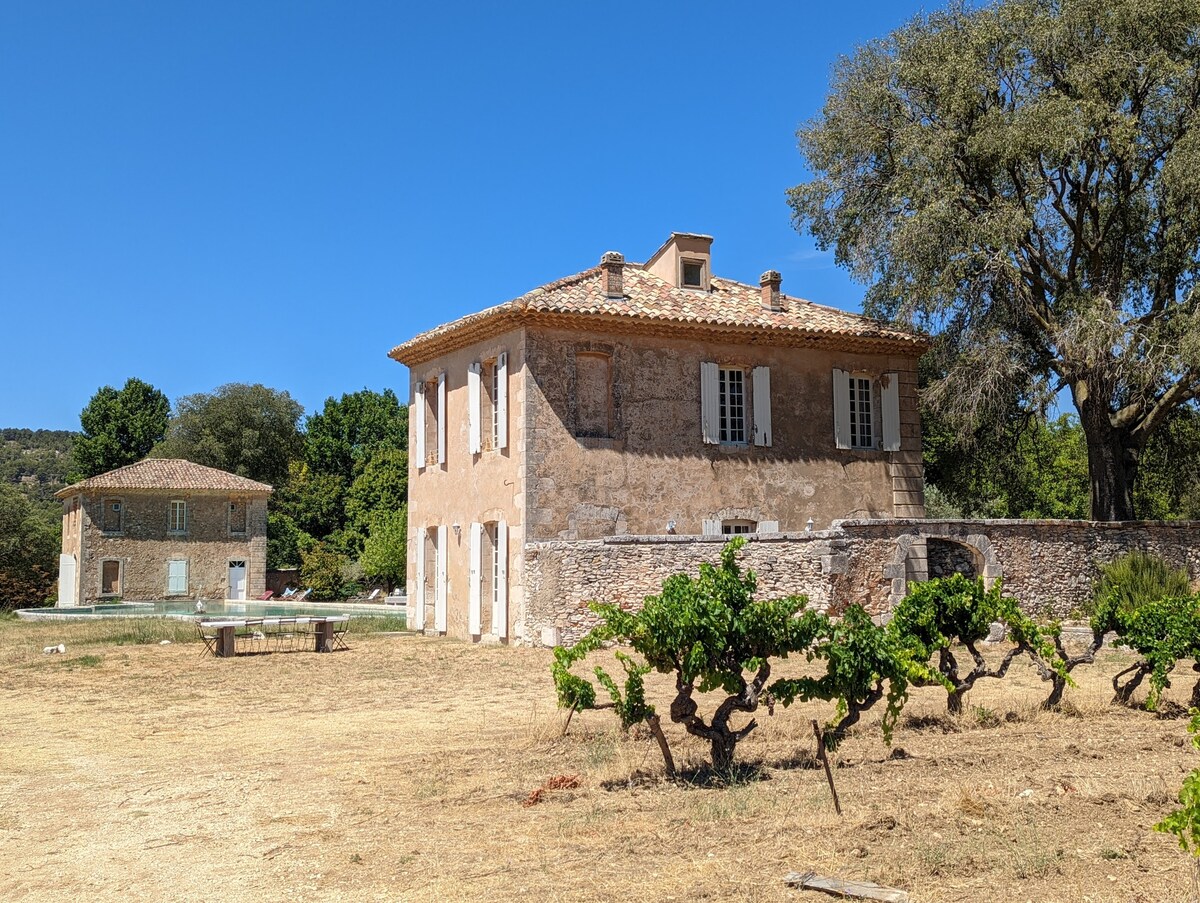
(1049,566)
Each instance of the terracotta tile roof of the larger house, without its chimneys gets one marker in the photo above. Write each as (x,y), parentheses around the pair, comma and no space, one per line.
(650,300)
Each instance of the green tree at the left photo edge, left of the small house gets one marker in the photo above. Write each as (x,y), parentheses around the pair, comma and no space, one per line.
(31,540)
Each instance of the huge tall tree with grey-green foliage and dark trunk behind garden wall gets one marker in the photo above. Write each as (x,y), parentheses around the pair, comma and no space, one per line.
(1025,178)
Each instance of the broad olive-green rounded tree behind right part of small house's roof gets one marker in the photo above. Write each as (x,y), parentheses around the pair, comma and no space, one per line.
(249,430)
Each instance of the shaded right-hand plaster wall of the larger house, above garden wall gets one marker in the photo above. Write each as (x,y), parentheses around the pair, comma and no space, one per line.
(656,467)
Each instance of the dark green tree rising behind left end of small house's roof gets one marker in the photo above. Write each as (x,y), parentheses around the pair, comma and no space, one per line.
(119,428)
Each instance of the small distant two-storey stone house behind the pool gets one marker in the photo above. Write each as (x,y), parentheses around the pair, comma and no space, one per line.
(160,530)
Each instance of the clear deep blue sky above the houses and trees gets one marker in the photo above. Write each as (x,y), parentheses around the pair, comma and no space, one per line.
(207,193)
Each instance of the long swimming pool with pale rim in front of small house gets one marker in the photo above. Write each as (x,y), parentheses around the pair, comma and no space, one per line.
(185,609)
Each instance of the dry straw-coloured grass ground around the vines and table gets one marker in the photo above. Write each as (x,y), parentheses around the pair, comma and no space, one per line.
(398,772)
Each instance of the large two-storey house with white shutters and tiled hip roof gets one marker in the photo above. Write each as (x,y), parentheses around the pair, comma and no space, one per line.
(644,399)
